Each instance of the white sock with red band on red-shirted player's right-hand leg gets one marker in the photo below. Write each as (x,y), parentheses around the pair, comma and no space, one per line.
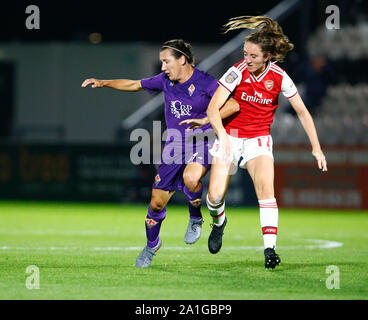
(269,216)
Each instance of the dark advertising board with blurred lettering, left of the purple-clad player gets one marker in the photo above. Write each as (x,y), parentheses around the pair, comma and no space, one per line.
(72,172)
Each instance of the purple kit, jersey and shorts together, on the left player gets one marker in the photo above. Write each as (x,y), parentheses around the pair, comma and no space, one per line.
(188,100)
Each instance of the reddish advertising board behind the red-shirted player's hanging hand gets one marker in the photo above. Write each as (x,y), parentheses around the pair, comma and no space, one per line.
(298,182)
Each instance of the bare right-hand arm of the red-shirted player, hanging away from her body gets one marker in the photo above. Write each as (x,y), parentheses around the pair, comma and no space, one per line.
(309,127)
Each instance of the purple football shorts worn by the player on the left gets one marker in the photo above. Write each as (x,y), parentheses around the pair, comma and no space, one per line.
(170,172)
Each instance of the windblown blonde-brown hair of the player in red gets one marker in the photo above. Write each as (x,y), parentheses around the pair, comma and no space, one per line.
(269,35)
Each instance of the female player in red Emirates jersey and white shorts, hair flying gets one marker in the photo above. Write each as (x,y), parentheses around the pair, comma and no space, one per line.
(256,83)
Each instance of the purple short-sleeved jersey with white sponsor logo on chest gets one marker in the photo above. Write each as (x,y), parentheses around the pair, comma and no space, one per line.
(188,100)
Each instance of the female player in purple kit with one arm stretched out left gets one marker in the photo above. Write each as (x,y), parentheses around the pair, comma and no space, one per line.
(185,158)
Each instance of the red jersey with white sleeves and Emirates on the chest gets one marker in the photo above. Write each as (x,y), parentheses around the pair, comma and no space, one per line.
(257,97)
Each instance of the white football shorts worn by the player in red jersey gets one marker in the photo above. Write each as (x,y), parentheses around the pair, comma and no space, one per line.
(244,149)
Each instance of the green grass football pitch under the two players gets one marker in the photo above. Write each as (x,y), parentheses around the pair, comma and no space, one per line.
(88,251)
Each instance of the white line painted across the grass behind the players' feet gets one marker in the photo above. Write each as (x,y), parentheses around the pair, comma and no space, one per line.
(318,244)
